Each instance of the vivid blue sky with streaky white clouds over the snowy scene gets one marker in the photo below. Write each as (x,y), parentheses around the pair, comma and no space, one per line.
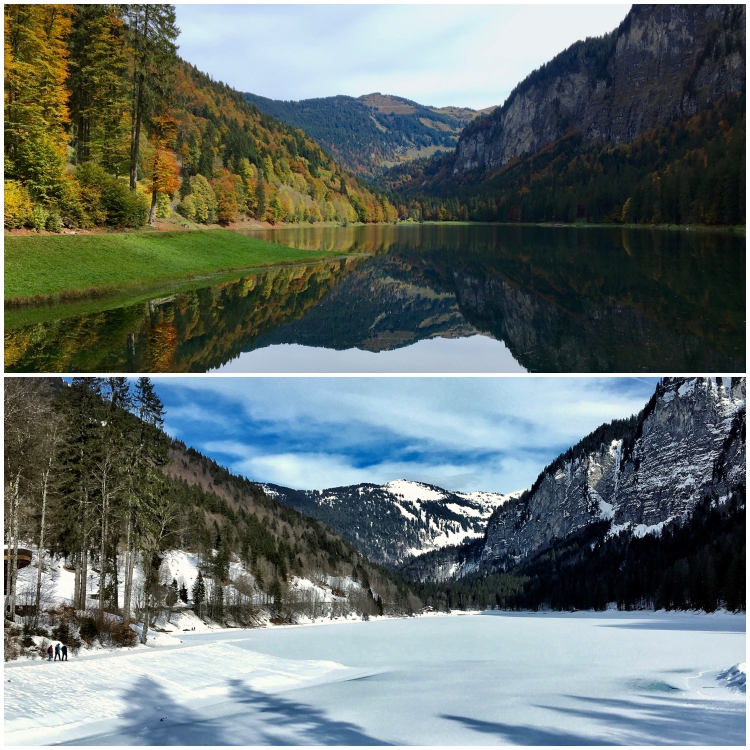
(463,434)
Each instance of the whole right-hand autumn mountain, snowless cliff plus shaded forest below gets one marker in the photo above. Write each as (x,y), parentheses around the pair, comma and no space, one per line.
(643,125)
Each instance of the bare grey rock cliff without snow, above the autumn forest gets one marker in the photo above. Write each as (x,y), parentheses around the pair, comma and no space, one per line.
(663,61)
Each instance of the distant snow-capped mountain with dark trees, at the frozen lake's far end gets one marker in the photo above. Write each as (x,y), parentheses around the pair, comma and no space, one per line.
(397,520)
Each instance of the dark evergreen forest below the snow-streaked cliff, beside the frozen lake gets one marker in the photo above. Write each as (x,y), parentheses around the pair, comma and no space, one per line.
(699,564)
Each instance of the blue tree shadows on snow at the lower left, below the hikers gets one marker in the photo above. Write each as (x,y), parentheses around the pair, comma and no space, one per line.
(243,717)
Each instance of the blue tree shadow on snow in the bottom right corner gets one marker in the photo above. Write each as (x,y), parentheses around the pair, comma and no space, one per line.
(667,720)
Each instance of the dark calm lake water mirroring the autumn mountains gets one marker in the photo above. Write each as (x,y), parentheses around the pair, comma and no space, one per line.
(432,298)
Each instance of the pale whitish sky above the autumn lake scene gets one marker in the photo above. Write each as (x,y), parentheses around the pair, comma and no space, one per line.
(436,54)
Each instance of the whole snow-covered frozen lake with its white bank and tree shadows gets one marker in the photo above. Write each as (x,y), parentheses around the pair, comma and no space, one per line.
(480,679)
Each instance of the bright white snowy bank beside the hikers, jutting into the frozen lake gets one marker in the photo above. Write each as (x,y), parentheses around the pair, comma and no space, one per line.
(53,702)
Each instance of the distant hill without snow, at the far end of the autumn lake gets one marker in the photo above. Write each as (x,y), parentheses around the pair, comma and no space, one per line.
(372,131)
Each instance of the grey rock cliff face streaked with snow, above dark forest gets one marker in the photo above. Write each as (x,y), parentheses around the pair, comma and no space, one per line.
(689,441)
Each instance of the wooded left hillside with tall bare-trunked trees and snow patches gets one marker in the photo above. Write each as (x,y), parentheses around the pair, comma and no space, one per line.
(92,480)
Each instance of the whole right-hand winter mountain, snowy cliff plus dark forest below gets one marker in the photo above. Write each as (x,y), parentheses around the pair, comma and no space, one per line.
(648,511)
